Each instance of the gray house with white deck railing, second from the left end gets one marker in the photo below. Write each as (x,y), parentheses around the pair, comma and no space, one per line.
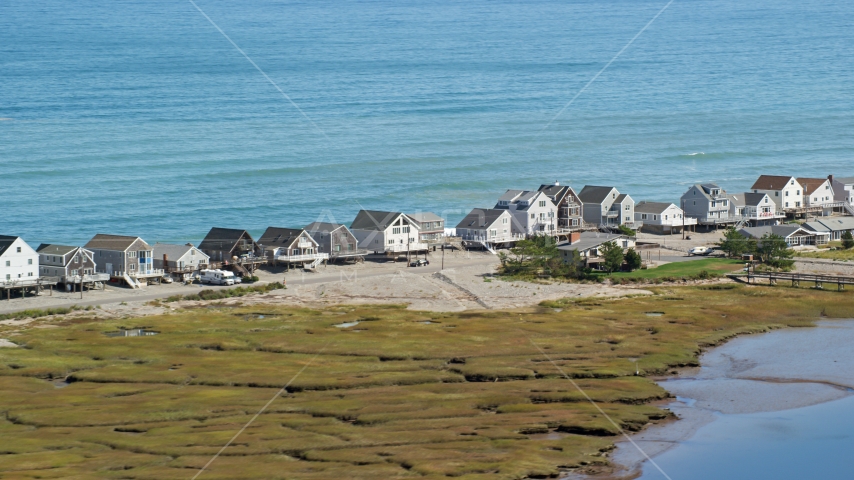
(69,265)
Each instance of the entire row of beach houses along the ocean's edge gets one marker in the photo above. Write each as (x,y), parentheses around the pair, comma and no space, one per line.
(580,220)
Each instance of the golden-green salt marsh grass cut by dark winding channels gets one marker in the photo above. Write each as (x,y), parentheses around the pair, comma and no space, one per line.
(402,394)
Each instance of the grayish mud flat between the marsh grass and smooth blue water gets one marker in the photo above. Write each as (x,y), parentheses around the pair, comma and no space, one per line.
(775,371)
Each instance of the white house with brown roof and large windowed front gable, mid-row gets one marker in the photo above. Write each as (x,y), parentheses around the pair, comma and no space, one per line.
(387,232)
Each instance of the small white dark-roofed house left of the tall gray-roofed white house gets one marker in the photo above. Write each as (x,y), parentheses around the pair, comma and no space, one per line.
(488,228)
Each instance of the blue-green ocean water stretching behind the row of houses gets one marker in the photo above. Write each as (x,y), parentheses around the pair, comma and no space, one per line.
(141,118)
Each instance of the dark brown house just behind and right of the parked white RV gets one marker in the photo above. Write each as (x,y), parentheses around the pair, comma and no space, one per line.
(233,248)
